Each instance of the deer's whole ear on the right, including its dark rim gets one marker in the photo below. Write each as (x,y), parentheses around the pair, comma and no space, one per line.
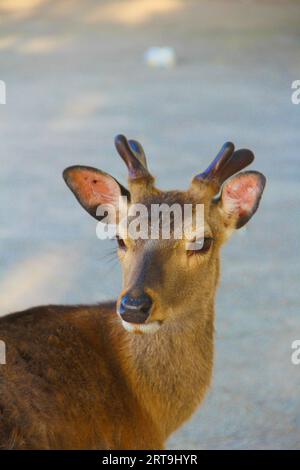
(240,198)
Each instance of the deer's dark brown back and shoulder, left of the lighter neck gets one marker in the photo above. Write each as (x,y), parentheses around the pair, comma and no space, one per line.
(64,388)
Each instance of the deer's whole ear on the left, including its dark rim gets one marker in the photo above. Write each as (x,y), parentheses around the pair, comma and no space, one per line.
(93,188)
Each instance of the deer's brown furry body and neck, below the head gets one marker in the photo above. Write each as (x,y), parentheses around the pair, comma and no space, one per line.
(66,383)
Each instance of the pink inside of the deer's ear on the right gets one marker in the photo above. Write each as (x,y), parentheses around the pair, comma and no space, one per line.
(241,194)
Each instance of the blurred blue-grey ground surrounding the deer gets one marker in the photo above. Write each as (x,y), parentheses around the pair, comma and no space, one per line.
(76,76)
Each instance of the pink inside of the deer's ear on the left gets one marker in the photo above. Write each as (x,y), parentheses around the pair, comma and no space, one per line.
(94,188)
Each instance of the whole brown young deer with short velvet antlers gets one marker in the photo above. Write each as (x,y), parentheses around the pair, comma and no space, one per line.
(126,374)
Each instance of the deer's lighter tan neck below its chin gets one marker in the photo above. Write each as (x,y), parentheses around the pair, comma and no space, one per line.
(171,370)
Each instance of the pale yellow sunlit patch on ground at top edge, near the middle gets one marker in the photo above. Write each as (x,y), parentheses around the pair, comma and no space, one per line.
(132,11)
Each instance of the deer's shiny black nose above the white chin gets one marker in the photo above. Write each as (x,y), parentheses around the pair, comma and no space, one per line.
(135,309)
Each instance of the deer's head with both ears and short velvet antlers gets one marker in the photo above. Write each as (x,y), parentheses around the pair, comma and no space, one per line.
(168,275)
